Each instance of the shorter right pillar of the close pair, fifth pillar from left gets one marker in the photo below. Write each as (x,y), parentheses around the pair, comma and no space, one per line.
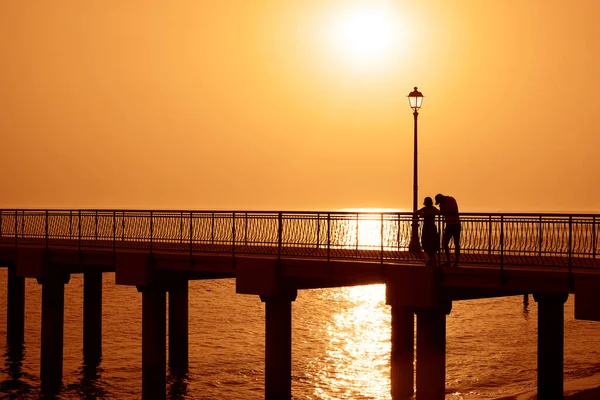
(178,327)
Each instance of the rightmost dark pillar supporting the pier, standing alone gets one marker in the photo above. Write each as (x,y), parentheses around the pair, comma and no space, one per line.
(551,315)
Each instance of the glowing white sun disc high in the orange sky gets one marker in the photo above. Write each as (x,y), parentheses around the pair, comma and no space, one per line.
(368,35)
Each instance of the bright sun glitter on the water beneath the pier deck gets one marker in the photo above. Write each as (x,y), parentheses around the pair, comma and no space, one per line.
(356,363)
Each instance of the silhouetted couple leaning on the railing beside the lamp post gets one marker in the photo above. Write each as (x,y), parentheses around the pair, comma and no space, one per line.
(430,238)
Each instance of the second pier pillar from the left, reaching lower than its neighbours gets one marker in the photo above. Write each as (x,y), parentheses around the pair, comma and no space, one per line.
(53,301)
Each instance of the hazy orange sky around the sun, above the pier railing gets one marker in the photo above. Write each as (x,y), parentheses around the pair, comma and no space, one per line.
(299,104)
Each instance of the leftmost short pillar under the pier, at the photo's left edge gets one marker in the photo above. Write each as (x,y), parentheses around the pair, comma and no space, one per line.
(15,324)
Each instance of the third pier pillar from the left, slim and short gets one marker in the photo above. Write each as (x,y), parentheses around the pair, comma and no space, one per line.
(92,317)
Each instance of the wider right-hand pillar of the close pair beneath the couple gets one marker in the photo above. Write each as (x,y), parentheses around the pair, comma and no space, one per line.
(431,352)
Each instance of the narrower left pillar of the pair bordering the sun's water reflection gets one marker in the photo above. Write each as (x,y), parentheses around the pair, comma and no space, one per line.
(403,353)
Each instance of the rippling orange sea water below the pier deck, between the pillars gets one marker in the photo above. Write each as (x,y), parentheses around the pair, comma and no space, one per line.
(340,349)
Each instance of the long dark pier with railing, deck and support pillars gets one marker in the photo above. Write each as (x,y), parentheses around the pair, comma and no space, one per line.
(273,255)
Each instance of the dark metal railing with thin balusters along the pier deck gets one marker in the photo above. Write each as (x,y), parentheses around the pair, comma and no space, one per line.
(562,240)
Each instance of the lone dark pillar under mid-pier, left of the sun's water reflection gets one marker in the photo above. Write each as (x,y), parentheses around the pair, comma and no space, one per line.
(278,346)
